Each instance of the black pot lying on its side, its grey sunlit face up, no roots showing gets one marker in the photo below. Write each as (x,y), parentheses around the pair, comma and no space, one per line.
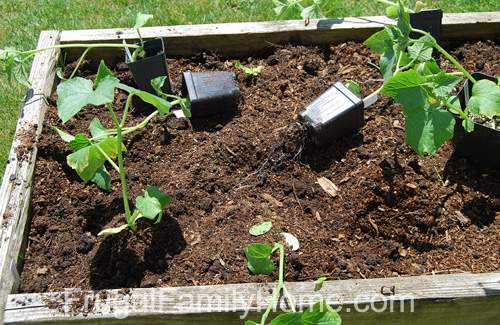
(211,93)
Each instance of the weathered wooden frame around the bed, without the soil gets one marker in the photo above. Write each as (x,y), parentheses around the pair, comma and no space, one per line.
(472,298)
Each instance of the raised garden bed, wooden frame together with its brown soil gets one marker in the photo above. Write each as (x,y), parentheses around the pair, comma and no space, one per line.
(394,214)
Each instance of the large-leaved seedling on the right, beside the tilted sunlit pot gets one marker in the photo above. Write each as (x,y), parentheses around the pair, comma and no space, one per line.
(414,80)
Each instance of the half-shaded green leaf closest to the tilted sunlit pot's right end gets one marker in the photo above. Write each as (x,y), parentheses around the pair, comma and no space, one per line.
(408,89)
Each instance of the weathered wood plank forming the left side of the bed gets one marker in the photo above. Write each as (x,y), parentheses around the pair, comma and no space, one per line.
(15,192)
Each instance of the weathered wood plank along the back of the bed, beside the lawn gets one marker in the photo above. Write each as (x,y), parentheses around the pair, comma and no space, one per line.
(239,39)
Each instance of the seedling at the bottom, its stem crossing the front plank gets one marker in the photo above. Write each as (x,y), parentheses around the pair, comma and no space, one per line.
(259,261)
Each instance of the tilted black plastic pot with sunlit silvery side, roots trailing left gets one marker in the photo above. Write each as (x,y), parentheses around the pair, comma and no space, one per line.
(334,114)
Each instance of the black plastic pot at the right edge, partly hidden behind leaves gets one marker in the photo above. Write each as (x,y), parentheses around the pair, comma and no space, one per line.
(483,144)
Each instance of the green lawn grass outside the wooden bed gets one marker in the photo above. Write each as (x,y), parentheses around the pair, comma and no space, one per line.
(22,20)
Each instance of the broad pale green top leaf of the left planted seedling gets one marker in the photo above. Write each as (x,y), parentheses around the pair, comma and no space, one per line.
(76,93)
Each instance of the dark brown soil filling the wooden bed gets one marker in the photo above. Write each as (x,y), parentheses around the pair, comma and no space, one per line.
(395,214)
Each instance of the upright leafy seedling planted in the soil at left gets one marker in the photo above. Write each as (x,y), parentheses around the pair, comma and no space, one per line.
(106,145)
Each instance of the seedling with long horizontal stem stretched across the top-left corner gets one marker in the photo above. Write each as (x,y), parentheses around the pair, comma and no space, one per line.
(15,63)
